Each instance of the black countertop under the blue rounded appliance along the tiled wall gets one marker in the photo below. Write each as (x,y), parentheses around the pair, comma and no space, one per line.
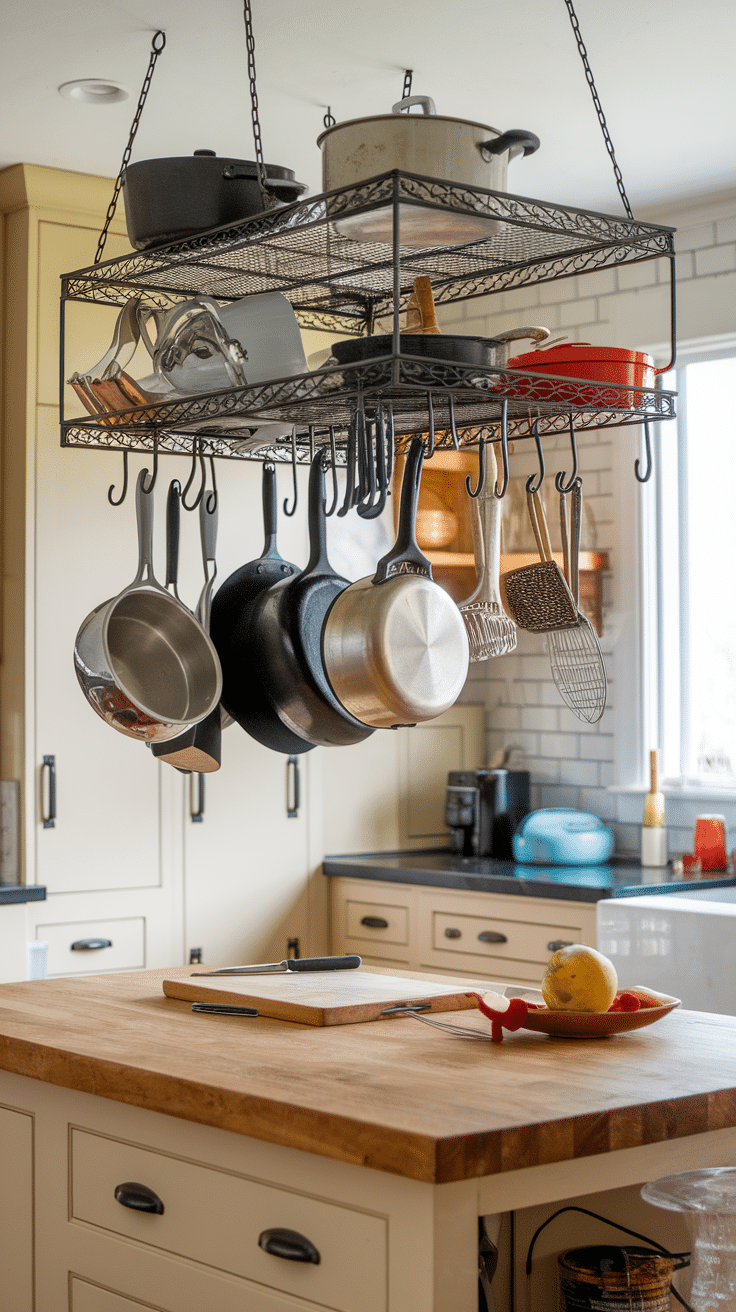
(443,869)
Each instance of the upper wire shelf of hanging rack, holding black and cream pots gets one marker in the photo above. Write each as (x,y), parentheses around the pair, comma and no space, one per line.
(339,284)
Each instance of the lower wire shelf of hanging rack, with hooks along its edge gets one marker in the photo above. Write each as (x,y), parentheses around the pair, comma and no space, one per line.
(224,422)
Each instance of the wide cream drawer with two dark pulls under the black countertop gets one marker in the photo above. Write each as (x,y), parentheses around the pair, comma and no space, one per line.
(501,940)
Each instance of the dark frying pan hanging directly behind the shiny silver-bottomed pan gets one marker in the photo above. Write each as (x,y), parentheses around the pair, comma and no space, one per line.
(287,640)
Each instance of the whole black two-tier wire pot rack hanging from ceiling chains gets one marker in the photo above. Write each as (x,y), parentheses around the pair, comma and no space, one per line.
(343,287)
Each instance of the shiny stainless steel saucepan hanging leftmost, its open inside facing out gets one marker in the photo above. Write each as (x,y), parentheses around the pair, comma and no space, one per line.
(142,661)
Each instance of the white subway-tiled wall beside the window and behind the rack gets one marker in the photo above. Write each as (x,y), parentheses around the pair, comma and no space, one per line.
(574,764)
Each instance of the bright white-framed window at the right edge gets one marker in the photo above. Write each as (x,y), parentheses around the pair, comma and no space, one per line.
(696,535)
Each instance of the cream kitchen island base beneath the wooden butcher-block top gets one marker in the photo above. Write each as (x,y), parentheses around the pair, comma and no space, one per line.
(386,1243)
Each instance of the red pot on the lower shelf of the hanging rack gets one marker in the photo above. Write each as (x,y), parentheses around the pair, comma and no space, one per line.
(604,365)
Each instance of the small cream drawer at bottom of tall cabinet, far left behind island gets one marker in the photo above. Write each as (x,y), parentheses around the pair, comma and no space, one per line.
(127,951)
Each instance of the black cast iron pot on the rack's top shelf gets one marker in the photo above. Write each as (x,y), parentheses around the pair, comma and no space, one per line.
(169,200)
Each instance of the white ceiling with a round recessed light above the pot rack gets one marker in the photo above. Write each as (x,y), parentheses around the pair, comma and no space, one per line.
(663,70)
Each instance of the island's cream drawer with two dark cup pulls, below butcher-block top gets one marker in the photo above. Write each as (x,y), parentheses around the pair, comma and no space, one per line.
(217,1218)
